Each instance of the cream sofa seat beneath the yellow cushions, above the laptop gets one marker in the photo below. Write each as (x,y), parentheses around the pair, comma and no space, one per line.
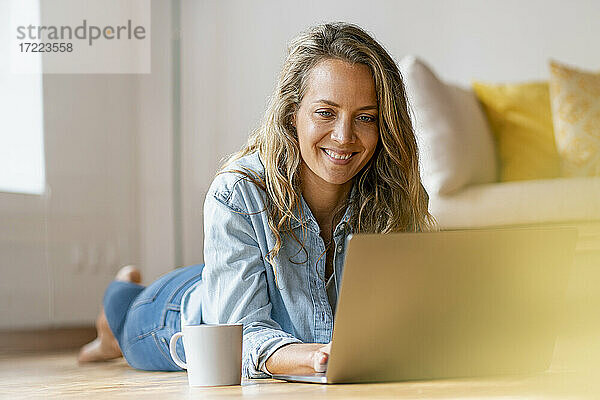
(520,203)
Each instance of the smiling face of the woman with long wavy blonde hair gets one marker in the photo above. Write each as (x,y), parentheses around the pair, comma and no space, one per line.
(337,121)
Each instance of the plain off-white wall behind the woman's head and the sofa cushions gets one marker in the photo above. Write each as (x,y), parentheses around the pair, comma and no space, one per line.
(232,52)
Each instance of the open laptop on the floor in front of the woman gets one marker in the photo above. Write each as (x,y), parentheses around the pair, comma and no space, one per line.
(416,306)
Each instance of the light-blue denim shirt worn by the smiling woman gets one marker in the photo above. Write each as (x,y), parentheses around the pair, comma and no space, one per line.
(239,285)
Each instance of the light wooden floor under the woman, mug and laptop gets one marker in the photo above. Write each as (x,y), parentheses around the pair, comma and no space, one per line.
(58,376)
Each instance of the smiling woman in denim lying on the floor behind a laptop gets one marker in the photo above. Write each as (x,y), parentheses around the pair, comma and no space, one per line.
(336,154)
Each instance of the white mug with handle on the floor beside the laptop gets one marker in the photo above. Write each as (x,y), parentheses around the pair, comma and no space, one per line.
(213,354)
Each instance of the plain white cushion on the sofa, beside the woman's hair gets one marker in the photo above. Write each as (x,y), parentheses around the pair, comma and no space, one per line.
(456,146)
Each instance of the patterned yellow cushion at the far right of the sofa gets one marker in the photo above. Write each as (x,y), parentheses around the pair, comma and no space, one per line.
(576,112)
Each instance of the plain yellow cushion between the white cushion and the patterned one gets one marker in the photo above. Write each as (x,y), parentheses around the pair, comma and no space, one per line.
(521,120)
